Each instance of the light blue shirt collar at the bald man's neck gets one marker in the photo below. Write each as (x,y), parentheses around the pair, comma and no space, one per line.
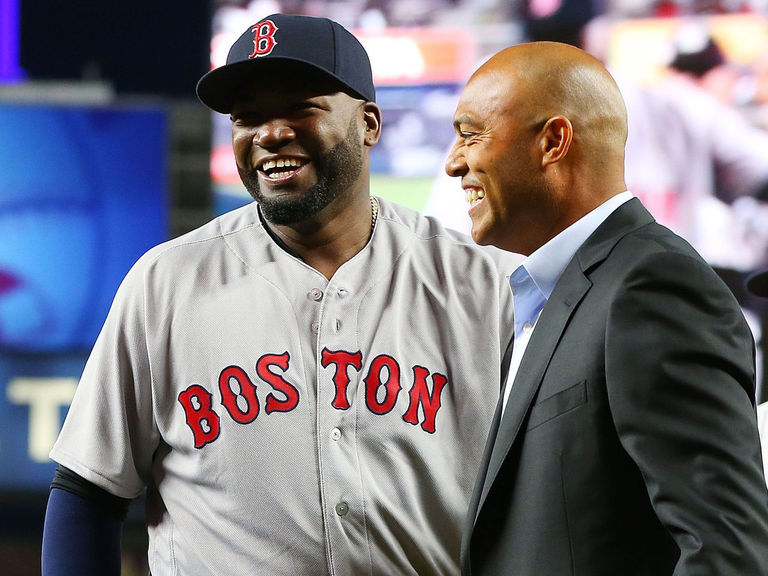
(546,265)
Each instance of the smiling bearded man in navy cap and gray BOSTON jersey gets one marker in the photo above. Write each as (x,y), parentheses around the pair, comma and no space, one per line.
(297,384)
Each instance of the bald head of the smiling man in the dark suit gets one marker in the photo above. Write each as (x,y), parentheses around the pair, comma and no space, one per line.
(541,133)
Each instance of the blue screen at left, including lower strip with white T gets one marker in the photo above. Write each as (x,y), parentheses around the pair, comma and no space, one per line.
(83,193)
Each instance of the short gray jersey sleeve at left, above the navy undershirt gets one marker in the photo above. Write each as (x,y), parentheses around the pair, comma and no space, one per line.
(109,434)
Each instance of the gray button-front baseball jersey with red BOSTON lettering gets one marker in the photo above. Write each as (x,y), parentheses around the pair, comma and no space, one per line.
(287,424)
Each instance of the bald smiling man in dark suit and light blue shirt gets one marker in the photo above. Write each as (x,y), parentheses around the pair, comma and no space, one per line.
(625,440)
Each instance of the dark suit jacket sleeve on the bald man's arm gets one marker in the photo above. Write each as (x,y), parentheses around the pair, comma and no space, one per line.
(680,379)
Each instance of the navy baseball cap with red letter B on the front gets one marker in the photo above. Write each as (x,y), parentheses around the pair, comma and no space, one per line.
(319,43)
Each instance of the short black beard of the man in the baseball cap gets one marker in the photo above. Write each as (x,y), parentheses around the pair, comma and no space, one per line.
(336,170)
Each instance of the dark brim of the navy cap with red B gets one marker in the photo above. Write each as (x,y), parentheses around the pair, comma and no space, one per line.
(219,88)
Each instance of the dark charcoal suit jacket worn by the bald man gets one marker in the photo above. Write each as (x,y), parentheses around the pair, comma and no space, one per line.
(629,444)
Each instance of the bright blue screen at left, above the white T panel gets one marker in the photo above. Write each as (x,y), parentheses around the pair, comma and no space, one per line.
(82,195)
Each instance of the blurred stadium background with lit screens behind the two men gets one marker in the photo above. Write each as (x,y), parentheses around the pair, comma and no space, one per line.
(105,151)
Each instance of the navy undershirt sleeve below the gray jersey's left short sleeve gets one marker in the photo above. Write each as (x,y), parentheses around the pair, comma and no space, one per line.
(81,535)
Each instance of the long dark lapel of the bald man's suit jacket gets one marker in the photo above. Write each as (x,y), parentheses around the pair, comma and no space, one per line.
(569,291)
